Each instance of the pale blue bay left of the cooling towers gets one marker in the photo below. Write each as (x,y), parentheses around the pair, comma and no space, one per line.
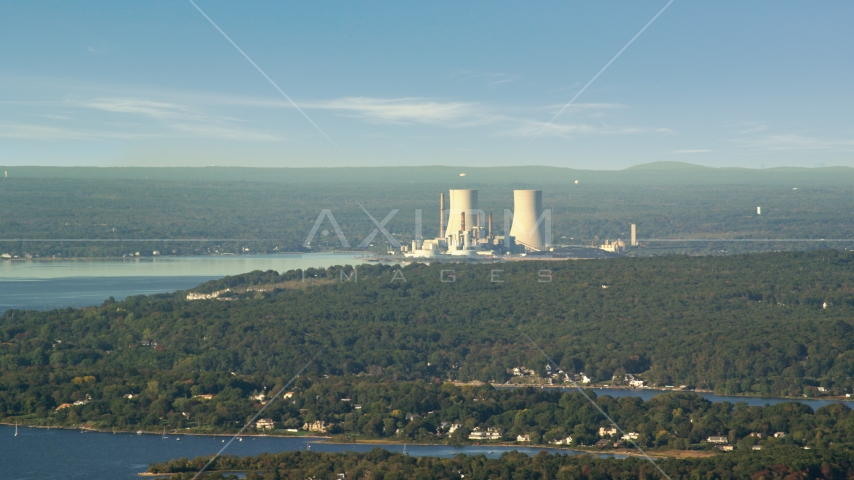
(47,284)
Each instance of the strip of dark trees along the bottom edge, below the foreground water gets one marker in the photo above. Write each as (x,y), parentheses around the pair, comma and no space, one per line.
(790,463)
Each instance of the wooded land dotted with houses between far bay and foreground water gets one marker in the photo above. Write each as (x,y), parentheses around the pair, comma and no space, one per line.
(391,338)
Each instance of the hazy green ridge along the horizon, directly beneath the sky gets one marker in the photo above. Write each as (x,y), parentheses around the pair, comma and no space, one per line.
(657,173)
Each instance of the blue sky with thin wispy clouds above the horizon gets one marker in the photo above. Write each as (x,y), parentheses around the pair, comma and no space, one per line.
(725,83)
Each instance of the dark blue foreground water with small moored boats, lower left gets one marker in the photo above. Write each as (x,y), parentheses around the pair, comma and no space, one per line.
(38,453)
